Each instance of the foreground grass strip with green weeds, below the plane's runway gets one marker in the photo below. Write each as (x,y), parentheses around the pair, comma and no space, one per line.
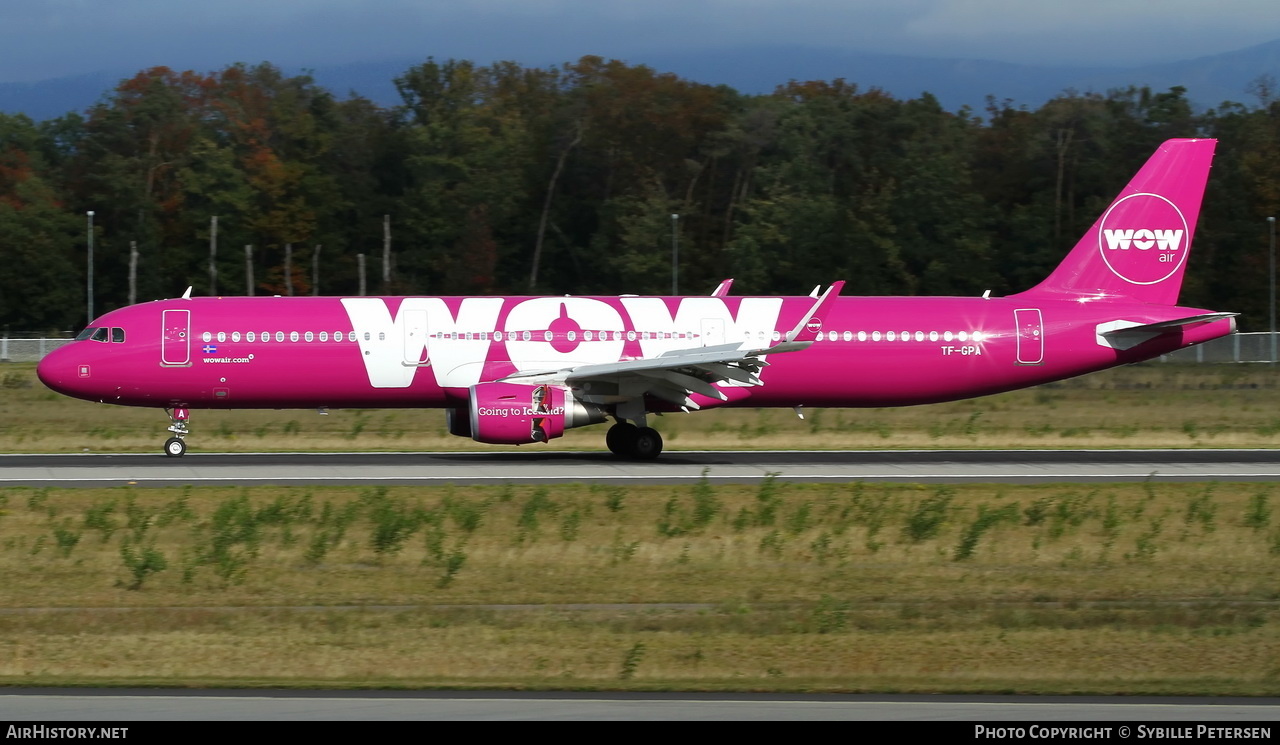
(1123,589)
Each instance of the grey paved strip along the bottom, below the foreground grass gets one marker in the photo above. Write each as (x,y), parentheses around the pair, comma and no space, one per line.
(947,714)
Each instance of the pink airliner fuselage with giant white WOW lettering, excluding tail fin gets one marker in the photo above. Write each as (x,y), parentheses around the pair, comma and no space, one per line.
(426,353)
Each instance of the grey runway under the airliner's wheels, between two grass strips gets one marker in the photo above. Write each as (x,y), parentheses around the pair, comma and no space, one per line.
(675,467)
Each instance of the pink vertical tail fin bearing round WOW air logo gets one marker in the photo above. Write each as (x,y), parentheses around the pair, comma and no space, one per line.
(1139,248)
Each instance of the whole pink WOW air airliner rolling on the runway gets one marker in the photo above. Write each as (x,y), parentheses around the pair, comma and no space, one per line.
(515,371)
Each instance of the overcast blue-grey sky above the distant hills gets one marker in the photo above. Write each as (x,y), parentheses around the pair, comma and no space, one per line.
(47,39)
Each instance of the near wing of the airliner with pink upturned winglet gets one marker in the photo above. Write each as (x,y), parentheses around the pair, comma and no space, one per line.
(678,376)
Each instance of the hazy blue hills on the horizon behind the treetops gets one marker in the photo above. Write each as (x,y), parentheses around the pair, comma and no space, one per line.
(956,83)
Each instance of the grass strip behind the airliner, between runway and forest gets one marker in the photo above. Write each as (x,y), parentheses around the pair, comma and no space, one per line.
(1154,405)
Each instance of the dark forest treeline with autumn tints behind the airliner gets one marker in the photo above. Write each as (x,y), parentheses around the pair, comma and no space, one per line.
(511,180)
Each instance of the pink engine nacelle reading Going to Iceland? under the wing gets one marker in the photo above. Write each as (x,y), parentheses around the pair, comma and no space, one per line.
(511,414)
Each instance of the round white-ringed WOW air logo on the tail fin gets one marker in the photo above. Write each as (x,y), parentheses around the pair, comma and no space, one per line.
(1144,239)
